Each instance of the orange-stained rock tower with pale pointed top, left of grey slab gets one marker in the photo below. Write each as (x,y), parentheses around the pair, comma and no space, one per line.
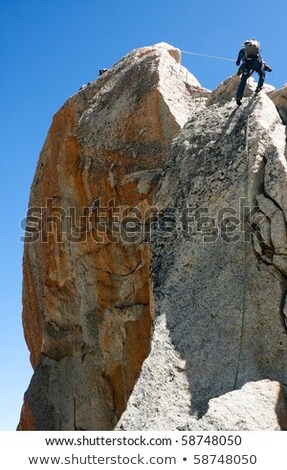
(87,291)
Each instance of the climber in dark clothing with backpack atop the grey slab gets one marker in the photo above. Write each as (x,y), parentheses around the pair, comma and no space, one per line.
(252,61)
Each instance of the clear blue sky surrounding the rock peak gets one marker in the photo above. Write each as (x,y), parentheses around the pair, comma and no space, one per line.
(48,49)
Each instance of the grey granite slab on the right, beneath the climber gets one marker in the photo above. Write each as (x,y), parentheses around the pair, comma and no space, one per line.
(218,268)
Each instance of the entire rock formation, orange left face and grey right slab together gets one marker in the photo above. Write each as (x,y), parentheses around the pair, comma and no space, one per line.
(155,265)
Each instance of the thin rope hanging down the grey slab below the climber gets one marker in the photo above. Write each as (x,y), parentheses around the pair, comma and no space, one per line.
(245,247)
